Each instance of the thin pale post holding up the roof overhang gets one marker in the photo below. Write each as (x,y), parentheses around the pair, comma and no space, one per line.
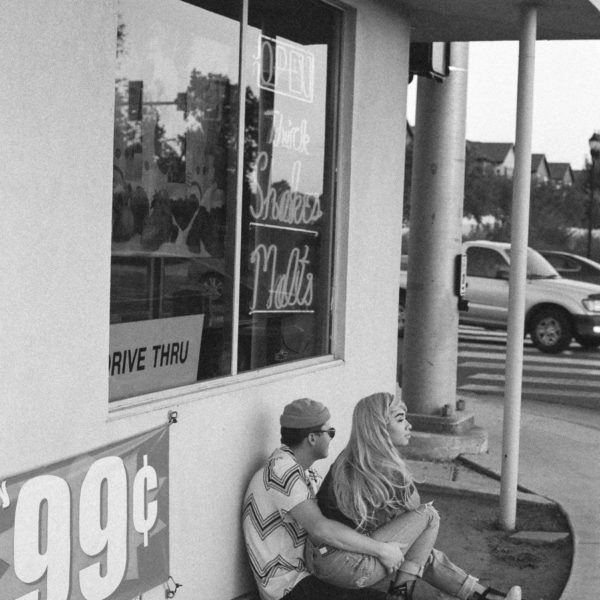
(518,270)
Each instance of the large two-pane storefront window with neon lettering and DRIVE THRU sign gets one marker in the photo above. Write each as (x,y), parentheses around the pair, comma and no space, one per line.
(177,205)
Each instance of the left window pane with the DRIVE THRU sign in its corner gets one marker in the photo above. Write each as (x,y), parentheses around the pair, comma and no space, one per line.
(174,193)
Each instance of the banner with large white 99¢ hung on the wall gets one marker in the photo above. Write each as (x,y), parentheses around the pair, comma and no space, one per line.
(88,528)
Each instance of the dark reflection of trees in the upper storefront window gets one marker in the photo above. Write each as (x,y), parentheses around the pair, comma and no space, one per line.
(200,156)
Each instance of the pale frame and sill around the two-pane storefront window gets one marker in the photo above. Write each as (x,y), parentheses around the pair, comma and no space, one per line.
(337,183)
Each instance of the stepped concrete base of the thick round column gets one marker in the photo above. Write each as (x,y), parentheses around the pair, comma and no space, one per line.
(444,438)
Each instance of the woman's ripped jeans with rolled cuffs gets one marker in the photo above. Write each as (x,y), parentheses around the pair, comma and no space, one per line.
(417,529)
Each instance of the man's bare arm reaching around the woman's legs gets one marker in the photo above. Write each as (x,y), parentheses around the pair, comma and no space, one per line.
(327,531)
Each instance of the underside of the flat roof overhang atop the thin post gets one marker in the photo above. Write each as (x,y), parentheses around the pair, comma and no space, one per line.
(474,20)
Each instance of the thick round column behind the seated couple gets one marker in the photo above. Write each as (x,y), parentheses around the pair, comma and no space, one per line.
(431,333)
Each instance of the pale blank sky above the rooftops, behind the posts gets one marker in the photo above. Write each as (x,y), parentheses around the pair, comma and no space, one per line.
(566,96)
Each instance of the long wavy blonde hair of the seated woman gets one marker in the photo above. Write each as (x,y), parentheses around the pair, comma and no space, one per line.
(370,479)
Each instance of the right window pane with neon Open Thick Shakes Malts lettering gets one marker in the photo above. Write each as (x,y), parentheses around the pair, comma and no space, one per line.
(287,195)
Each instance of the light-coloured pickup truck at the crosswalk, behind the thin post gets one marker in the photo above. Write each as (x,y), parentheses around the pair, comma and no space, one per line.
(556,309)
